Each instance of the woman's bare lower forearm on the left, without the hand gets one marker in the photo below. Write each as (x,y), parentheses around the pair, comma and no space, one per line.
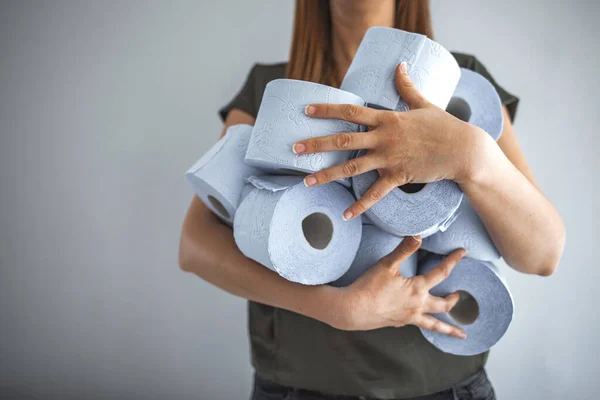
(208,250)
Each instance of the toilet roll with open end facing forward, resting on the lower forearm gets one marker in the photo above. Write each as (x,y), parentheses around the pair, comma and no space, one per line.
(297,231)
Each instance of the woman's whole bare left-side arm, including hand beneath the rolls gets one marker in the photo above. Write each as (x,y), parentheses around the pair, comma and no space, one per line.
(380,298)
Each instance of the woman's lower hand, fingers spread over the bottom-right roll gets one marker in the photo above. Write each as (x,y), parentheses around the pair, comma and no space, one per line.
(382,297)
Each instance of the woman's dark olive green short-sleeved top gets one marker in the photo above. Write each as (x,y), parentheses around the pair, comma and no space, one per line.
(300,352)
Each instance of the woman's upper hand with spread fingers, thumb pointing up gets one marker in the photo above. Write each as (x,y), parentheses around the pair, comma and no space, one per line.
(425,144)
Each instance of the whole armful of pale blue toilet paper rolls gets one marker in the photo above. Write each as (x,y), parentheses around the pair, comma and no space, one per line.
(252,180)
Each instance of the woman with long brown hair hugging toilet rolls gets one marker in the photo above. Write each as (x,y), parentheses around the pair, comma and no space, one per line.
(324,342)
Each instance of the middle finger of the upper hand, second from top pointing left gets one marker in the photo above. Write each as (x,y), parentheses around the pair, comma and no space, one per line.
(339,141)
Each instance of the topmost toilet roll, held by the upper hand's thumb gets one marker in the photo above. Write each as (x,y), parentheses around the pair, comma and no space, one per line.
(432,69)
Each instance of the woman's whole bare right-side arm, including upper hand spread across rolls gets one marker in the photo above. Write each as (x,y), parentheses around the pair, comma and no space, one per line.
(427,144)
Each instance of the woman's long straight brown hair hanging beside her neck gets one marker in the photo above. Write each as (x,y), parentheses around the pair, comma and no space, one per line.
(311,57)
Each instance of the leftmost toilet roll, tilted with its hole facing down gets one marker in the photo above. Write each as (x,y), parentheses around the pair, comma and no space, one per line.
(218,177)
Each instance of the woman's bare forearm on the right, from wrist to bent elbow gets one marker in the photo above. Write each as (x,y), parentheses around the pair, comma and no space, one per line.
(525,227)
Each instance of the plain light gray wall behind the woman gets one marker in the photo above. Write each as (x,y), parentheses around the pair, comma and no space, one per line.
(105,104)
